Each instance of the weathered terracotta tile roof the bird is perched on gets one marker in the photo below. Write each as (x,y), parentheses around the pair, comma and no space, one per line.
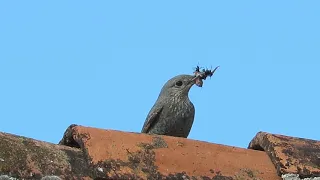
(92,153)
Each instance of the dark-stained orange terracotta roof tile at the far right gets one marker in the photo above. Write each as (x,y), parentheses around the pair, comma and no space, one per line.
(290,155)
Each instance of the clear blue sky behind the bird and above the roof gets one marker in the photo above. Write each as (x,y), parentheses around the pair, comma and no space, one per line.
(102,64)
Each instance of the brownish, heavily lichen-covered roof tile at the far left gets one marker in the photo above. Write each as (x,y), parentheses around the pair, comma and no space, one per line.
(26,158)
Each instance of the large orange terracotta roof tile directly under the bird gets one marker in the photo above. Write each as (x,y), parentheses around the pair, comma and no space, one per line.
(122,155)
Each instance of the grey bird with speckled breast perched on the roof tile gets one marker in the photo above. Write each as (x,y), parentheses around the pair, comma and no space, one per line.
(173,112)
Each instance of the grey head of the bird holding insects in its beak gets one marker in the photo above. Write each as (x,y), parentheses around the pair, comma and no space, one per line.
(178,86)
